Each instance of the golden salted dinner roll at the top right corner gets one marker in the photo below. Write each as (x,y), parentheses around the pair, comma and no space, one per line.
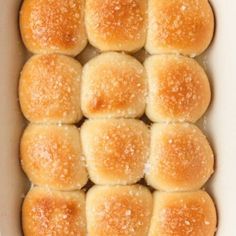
(179,26)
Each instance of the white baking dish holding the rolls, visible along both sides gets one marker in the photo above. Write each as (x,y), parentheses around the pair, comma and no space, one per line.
(219,122)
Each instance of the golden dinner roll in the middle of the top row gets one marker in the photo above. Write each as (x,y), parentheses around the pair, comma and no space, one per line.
(116,25)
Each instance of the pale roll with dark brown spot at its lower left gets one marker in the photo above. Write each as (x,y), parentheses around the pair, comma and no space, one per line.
(113,85)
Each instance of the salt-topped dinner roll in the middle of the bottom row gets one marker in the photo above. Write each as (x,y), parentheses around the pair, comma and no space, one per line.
(118,210)
